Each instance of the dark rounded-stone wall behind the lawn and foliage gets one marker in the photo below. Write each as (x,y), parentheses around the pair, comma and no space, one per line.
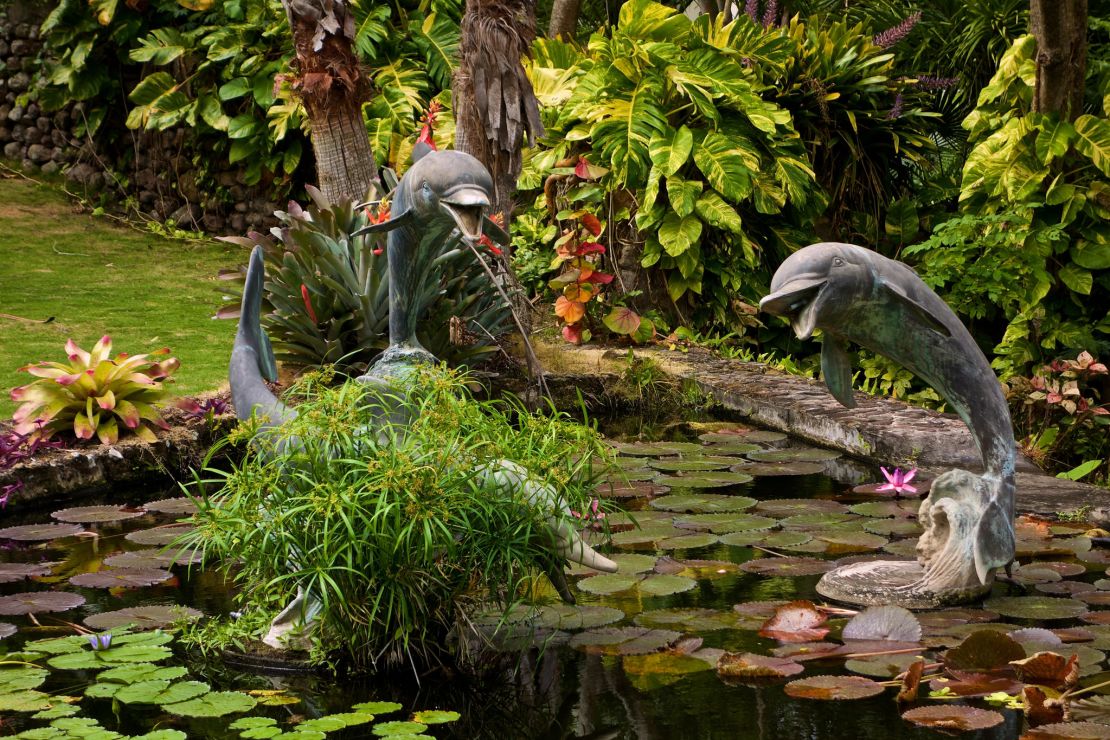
(156,178)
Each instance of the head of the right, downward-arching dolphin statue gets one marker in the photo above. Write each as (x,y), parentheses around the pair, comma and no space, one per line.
(815,285)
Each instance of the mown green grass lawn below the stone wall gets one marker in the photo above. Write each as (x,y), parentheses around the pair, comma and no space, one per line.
(97,278)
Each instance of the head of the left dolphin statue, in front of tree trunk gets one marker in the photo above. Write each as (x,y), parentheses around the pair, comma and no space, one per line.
(451,185)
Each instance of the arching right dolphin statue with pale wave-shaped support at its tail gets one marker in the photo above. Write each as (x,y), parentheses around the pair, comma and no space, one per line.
(854,295)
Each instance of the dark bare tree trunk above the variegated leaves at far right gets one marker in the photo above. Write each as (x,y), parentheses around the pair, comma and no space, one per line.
(1061,28)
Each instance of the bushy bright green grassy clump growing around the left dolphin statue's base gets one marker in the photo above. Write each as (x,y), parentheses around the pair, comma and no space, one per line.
(393,526)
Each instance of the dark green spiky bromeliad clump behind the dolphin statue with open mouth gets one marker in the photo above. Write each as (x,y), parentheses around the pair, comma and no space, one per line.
(327,293)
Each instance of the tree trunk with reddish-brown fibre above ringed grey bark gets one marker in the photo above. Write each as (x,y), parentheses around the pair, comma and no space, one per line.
(334,88)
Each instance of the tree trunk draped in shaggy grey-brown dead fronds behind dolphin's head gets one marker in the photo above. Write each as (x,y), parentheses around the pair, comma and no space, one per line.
(496,107)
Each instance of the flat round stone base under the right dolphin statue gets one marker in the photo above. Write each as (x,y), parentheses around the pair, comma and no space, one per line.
(899,583)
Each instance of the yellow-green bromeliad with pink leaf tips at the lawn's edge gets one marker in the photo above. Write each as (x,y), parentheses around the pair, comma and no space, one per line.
(93,393)
